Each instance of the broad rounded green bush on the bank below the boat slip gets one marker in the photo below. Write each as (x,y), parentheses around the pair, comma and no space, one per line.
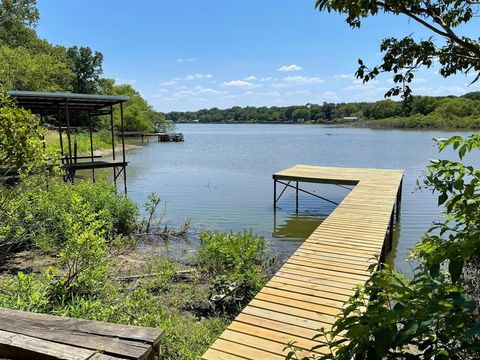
(47,218)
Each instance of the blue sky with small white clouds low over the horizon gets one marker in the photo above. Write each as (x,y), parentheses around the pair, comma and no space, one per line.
(193,54)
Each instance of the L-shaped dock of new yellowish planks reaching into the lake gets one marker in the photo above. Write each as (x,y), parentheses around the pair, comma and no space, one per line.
(310,289)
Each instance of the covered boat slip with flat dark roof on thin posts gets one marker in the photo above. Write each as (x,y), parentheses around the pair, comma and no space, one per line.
(63,109)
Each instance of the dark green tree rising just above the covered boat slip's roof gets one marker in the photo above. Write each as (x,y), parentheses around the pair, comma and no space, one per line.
(87,68)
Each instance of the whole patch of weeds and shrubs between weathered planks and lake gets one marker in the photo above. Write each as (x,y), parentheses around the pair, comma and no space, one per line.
(85,227)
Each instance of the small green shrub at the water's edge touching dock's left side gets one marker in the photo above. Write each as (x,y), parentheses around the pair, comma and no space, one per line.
(238,263)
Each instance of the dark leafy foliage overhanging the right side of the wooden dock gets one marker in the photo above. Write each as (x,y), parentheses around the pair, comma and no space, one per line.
(432,315)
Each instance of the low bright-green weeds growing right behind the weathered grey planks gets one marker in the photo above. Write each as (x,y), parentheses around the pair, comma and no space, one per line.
(144,303)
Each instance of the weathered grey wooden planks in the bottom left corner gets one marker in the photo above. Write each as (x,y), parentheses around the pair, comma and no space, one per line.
(26,335)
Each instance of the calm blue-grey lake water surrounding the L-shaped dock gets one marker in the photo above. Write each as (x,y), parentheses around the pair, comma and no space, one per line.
(221,178)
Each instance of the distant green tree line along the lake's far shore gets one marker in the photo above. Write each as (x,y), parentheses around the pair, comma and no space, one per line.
(418,111)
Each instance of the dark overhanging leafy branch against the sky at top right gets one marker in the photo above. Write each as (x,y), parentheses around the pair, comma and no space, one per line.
(455,52)
